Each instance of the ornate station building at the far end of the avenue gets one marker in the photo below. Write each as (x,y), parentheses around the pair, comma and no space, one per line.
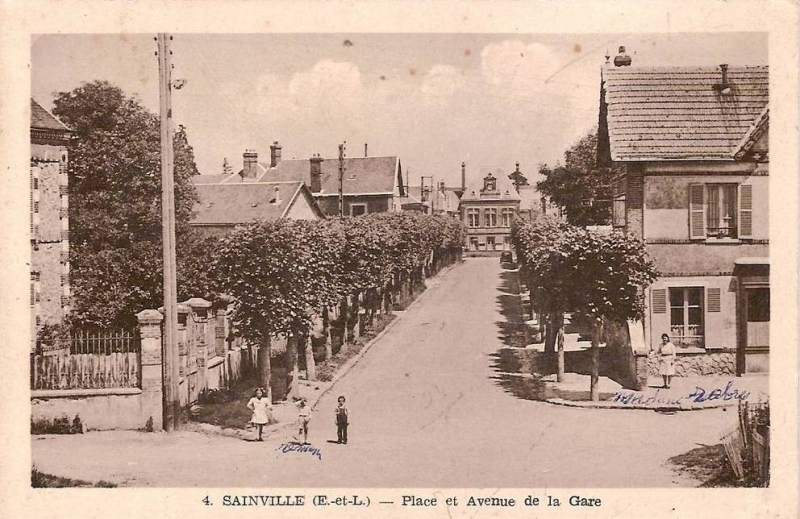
(488,208)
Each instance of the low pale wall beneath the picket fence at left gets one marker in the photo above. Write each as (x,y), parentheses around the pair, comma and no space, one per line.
(99,409)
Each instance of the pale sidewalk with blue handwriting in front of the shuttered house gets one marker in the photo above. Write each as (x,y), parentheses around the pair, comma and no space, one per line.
(684,394)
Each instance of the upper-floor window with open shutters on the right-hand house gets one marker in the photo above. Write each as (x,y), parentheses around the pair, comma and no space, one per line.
(721,211)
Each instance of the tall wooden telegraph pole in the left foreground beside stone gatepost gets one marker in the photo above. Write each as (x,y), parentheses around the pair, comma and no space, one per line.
(171,407)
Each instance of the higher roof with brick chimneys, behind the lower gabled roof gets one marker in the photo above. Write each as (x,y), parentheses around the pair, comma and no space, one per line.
(362,174)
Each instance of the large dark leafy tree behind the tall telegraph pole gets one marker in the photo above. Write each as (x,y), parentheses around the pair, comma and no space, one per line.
(115,202)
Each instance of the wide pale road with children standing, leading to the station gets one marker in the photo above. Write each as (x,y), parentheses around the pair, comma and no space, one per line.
(427,410)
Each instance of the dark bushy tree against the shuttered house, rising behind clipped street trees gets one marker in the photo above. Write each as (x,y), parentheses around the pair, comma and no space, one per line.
(582,187)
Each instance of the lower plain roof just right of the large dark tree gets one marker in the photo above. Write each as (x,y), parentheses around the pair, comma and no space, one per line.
(229,204)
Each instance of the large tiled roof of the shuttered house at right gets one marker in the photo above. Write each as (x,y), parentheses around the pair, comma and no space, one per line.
(676,113)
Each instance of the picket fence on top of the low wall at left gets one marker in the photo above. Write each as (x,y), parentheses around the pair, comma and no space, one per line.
(88,360)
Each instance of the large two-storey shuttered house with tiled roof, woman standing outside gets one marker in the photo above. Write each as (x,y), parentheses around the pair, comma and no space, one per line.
(690,146)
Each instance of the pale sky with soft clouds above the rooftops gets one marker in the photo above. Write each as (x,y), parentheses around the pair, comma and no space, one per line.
(434,100)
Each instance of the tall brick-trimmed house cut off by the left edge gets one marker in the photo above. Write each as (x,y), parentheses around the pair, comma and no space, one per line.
(49,219)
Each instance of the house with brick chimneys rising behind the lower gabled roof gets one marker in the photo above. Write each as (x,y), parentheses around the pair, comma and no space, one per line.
(369,184)
